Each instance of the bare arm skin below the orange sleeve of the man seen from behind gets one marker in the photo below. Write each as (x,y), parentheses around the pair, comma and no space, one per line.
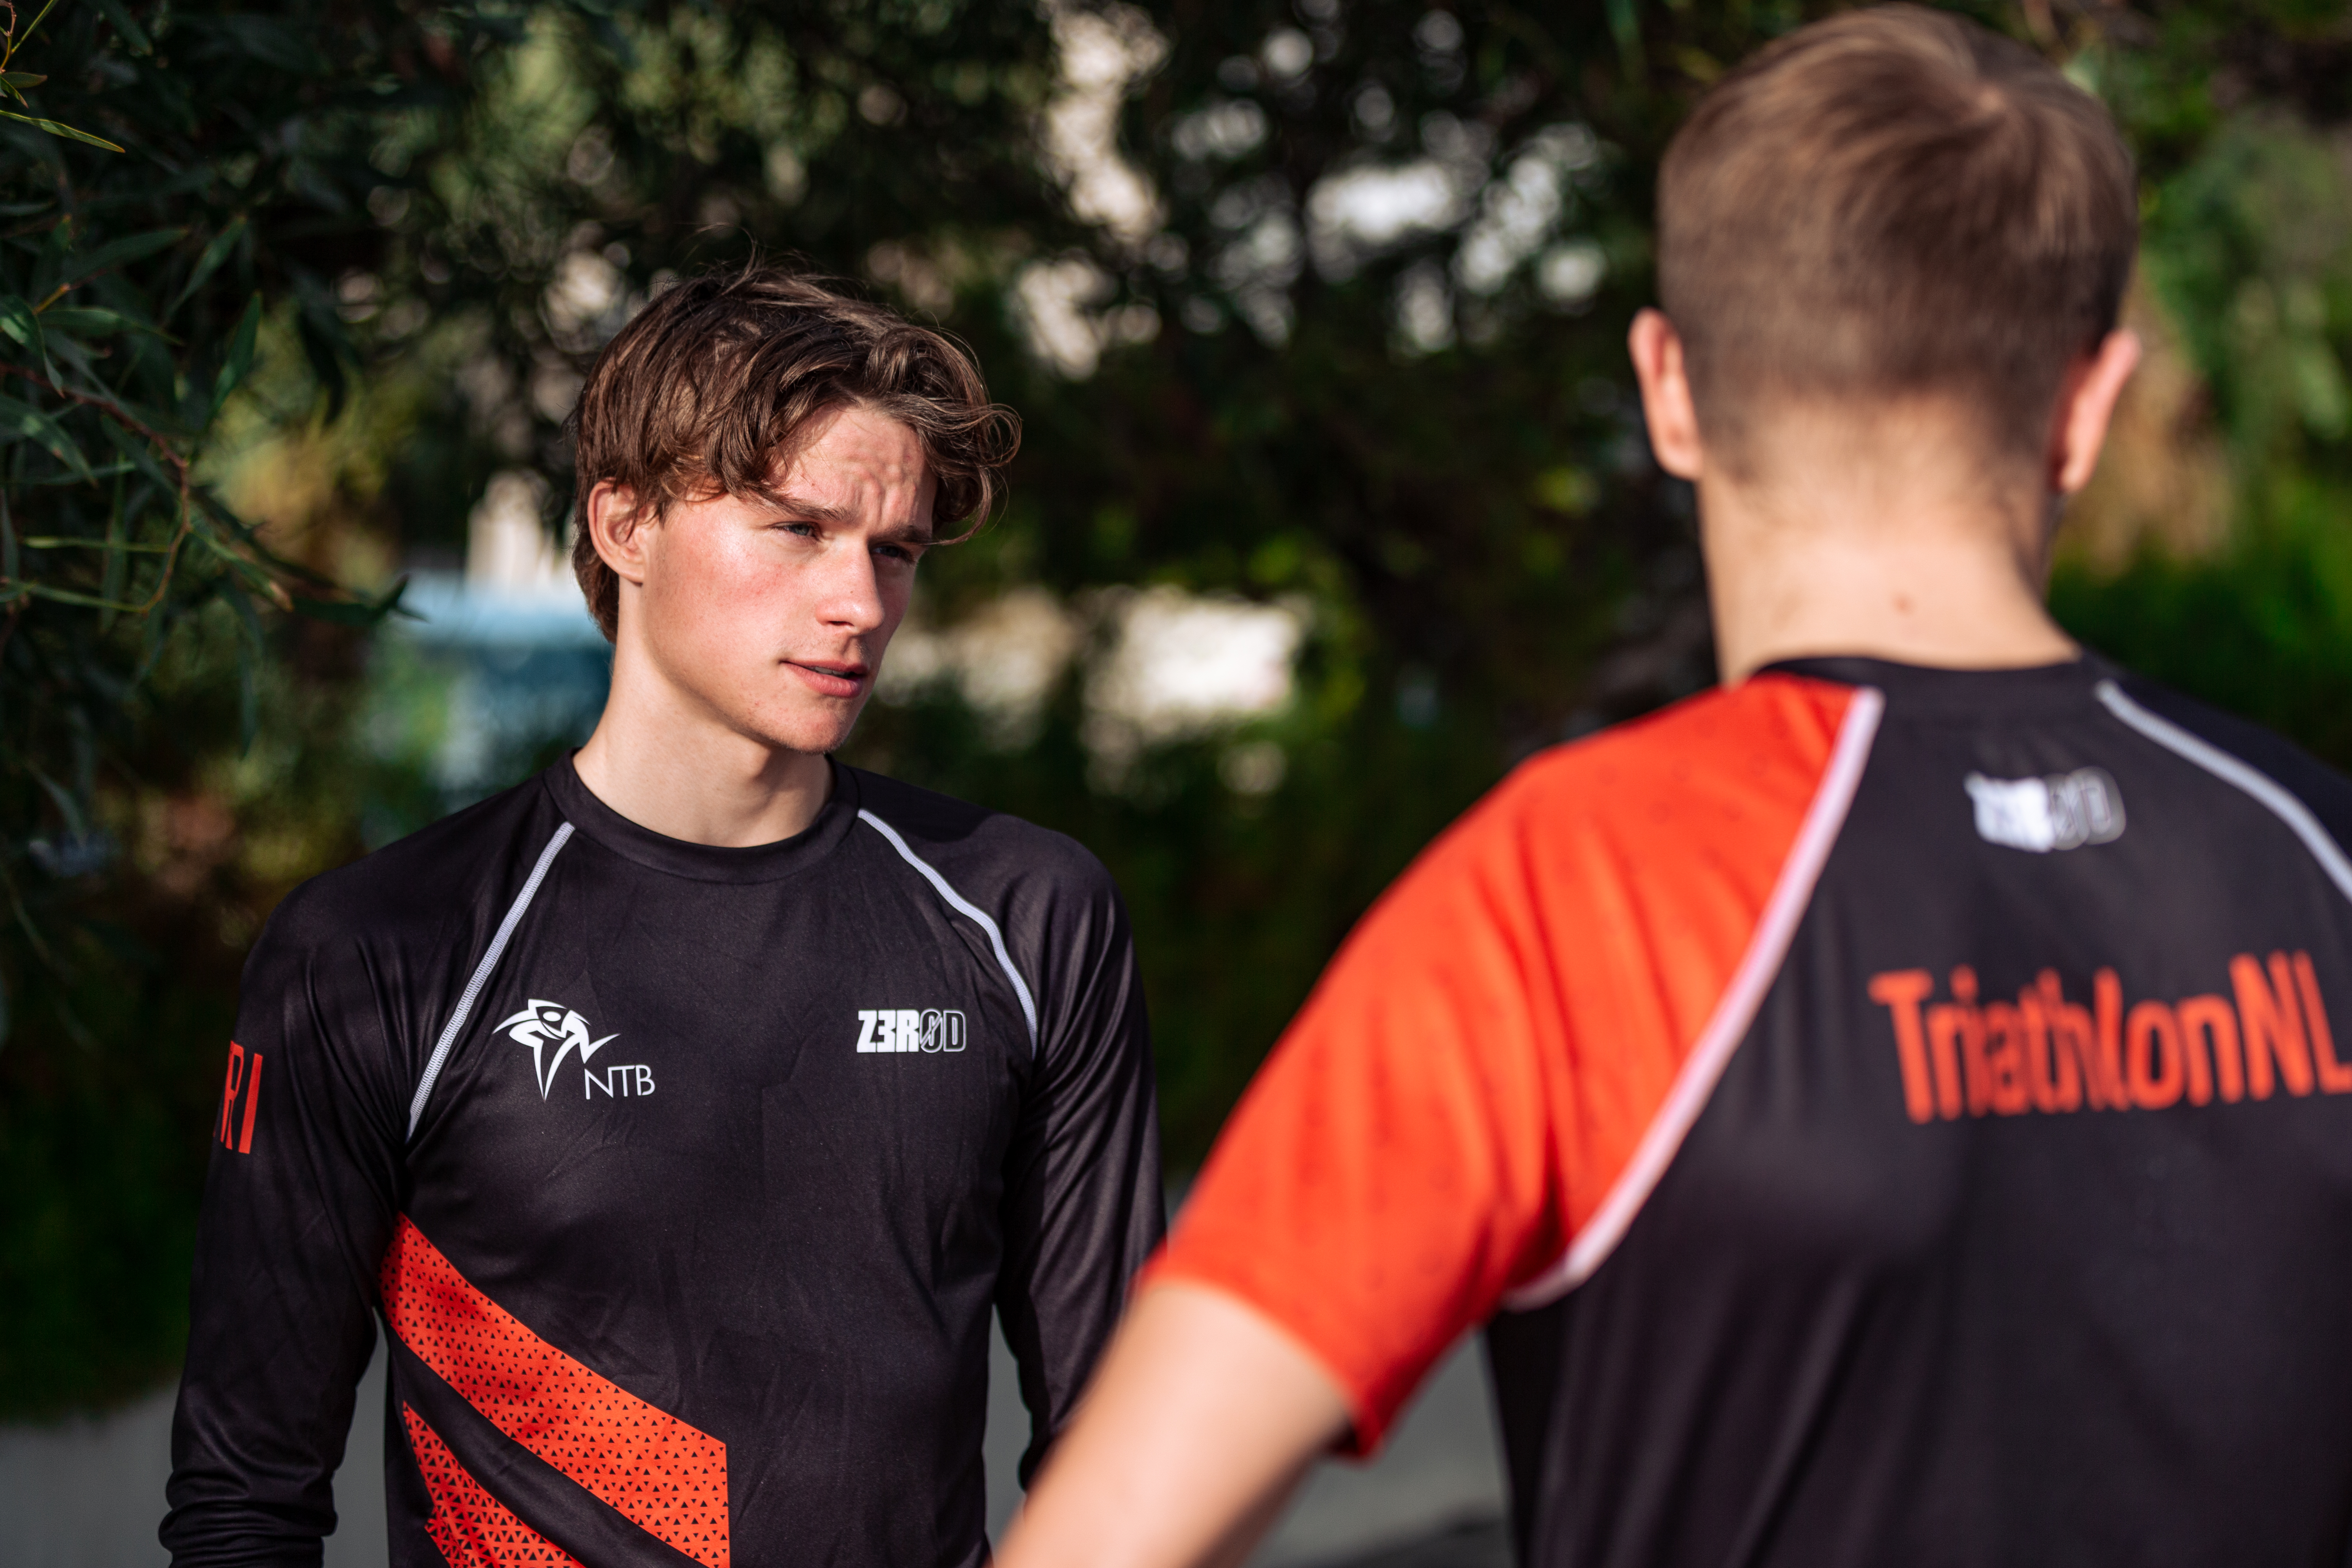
(1189,1445)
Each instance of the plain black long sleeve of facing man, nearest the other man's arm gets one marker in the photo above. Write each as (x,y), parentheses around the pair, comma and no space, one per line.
(1083,1200)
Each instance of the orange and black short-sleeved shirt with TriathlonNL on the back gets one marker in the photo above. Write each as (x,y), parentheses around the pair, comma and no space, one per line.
(1887,1115)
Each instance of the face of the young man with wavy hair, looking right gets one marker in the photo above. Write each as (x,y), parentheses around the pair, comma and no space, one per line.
(770,617)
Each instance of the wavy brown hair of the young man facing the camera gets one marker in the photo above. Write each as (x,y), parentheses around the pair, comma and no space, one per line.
(721,375)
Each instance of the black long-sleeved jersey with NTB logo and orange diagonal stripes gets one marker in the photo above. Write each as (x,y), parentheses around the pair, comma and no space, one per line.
(683,1179)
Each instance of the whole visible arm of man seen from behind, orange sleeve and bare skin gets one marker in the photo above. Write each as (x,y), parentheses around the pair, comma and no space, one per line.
(1382,1184)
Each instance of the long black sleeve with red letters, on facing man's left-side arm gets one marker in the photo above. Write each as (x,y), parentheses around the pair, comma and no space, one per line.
(300,1205)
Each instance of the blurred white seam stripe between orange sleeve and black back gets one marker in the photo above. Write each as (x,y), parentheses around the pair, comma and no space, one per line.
(1732,1014)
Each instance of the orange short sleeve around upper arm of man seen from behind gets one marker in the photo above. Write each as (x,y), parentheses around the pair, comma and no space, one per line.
(1391,1172)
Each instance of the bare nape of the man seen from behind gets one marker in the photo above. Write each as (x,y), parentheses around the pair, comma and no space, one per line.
(1913,551)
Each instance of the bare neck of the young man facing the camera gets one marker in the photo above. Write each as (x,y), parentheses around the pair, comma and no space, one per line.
(671,765)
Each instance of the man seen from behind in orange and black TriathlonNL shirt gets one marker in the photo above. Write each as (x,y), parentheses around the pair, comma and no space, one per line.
(1887,1111)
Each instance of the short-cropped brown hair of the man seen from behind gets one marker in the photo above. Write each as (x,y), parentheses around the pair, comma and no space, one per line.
(1895,203)
